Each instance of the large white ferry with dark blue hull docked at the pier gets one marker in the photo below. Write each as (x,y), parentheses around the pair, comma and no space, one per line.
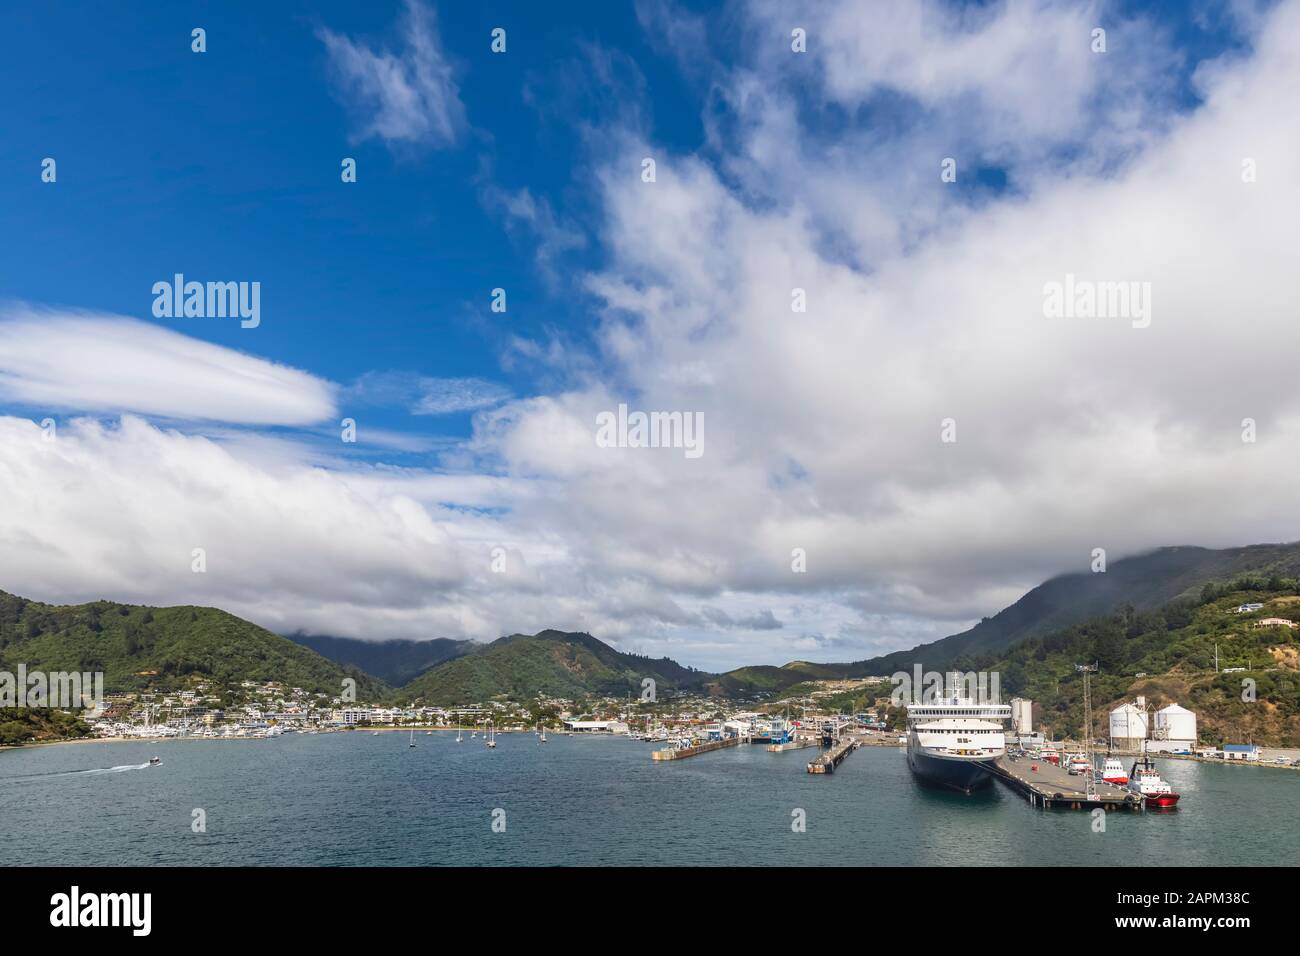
(952,742)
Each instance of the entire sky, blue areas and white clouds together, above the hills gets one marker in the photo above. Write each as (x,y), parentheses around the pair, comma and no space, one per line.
(523,171)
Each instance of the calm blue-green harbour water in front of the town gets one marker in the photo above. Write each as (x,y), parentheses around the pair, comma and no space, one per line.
(358,799)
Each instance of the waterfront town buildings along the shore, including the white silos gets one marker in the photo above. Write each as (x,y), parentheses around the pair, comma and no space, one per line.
(684,723)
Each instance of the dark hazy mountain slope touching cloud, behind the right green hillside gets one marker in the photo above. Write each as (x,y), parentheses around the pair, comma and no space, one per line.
(1145,583)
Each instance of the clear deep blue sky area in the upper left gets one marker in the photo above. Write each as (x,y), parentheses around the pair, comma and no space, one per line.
(227,166)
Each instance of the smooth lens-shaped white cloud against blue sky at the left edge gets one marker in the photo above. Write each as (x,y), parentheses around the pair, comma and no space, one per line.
(60,361)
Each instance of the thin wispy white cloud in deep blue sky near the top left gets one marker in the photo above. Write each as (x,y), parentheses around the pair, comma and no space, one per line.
(404,98)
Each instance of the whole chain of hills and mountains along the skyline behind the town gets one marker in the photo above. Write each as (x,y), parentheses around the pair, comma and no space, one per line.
(127,641)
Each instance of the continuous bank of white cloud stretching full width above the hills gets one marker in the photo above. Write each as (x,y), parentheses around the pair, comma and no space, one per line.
(824,429)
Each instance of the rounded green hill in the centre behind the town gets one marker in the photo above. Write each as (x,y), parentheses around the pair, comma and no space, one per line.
(553,664)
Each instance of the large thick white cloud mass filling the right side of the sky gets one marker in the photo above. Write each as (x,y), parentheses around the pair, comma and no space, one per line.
(825,427)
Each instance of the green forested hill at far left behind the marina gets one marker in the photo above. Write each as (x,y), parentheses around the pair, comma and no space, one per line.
(136,646)
